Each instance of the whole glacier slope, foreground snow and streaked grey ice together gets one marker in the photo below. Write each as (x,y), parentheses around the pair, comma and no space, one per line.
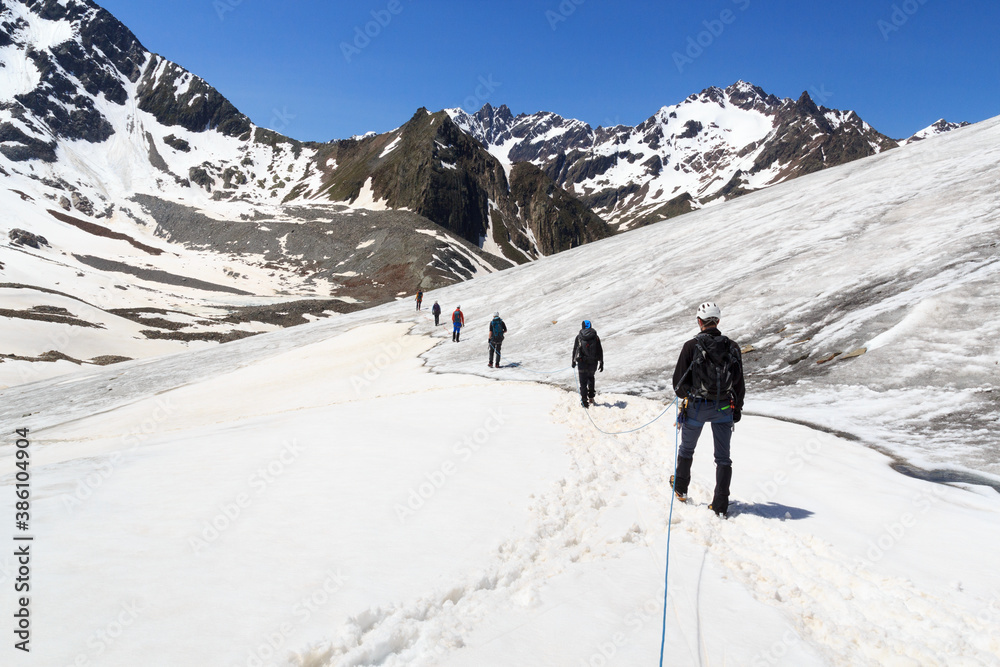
(362,490)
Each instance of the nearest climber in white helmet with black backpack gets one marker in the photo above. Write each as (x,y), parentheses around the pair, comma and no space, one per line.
(709,379)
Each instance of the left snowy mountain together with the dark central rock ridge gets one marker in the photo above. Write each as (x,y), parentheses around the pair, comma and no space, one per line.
(130,165)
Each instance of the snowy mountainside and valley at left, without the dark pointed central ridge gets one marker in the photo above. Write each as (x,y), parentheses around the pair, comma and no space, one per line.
(155,194)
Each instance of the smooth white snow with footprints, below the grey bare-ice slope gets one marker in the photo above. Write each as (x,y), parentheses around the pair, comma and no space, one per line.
(317,497)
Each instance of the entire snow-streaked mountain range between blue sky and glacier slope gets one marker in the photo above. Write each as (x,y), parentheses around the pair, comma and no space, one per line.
(102,141)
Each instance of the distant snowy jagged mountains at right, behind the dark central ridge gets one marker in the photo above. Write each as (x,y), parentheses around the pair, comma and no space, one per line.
(716,144)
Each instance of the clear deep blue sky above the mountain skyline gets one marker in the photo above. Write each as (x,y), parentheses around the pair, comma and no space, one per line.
(901,65)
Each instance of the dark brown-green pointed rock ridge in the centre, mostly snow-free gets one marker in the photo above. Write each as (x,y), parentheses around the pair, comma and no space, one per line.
(432,167)
